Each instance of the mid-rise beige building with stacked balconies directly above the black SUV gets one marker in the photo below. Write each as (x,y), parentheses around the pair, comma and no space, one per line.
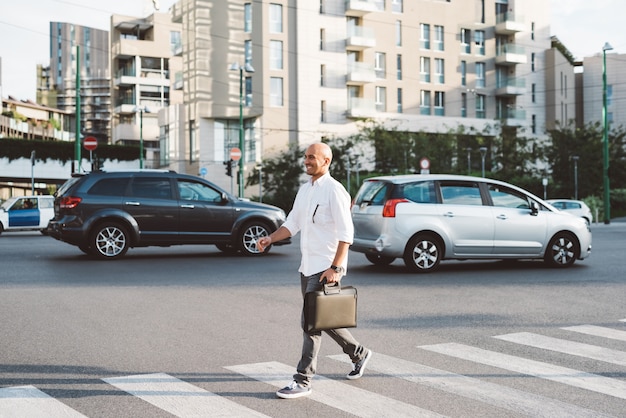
(146,81)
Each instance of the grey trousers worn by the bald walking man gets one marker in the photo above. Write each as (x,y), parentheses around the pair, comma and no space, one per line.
(312,341)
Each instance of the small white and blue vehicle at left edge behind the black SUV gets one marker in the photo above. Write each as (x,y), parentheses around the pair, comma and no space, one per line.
(25,213)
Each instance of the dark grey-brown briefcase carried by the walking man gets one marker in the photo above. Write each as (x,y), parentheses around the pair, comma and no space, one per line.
(331,308)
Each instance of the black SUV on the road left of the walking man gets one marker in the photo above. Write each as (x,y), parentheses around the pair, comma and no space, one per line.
(105,213)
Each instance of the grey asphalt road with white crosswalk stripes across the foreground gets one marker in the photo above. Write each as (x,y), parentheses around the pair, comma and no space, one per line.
(229,326)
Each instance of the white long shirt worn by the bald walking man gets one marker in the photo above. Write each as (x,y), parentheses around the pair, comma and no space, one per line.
(321,211)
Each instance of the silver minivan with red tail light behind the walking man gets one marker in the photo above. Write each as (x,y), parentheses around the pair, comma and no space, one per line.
(425,219)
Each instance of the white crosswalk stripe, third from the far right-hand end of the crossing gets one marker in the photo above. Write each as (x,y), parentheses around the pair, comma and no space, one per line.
(576,378)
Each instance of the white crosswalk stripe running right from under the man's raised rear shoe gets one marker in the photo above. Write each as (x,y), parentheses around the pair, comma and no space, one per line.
(490,393)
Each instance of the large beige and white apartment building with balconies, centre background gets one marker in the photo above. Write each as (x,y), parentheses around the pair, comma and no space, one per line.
(322,67)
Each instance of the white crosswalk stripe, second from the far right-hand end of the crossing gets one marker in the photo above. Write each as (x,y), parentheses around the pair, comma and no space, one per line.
(573,348)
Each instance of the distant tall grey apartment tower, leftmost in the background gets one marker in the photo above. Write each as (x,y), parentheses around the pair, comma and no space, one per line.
(76,48)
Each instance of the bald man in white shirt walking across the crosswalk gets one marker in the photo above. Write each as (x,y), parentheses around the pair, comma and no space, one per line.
(321,212)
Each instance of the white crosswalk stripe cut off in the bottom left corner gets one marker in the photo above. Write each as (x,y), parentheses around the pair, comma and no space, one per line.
(28,401)
